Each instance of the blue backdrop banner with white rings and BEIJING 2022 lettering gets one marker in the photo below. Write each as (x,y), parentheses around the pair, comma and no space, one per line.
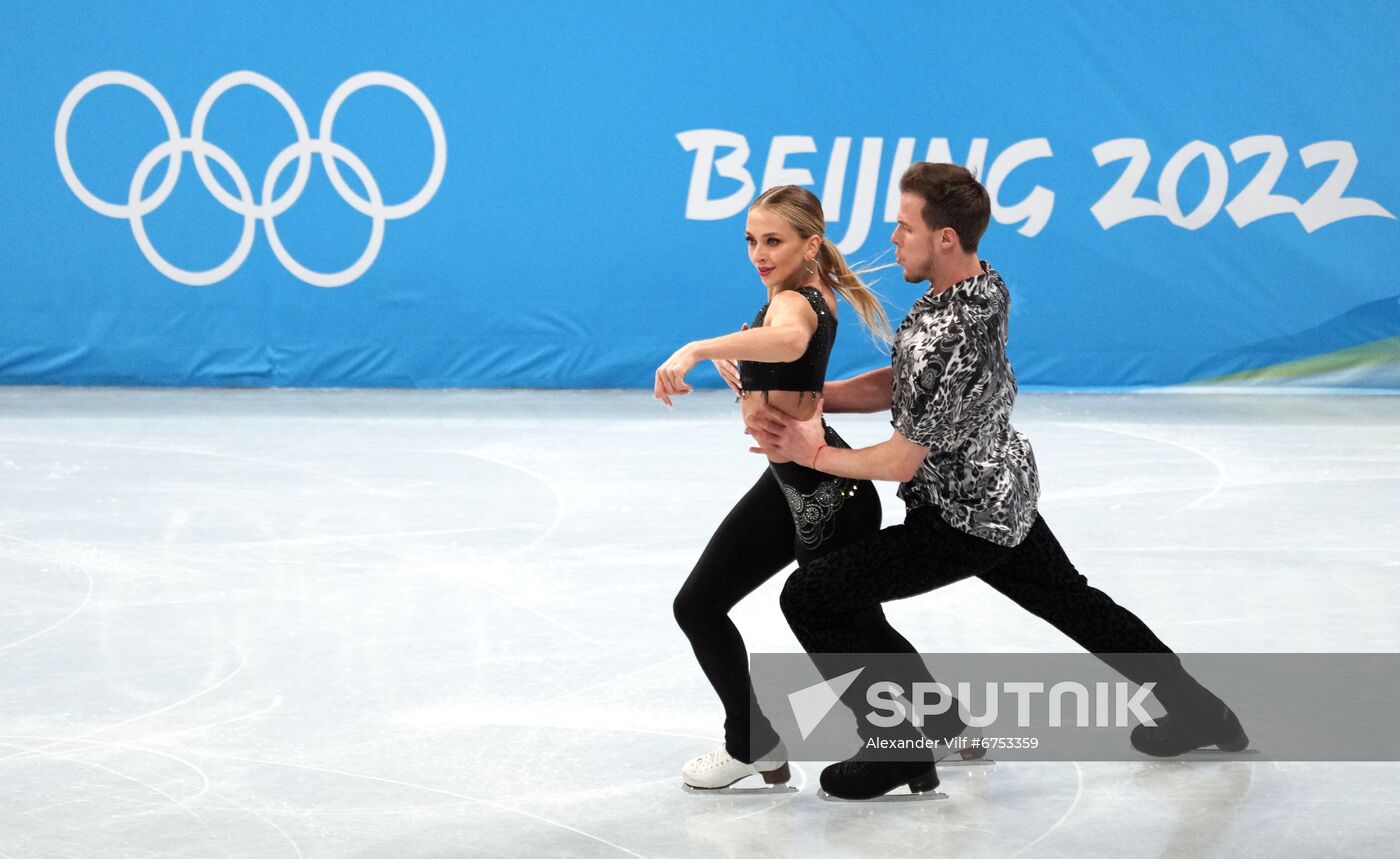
(552,195)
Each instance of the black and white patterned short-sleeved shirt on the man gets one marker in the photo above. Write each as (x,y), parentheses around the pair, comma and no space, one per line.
(953,391)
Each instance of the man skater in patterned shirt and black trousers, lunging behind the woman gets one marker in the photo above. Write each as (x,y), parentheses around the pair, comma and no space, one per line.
(971,488)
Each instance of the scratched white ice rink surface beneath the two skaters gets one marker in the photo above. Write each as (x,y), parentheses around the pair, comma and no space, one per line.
(405,625)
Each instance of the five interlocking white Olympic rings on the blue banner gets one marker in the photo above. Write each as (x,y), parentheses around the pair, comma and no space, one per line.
(265,208)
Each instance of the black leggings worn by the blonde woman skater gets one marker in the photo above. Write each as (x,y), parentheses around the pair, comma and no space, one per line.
(792,514)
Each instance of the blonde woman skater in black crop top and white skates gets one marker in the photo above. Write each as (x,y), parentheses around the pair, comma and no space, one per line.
(792,513)
